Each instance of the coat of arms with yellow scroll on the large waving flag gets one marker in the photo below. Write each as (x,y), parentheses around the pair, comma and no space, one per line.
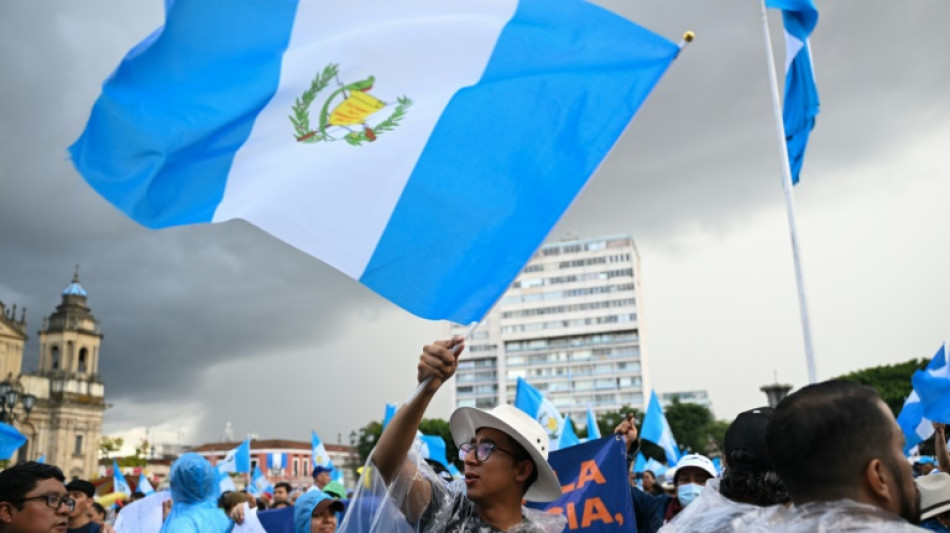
(346,119)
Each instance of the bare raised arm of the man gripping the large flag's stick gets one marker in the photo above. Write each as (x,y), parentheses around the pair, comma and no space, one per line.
(438,361)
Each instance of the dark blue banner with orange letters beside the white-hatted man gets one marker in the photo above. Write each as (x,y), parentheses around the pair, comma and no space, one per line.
(595,489)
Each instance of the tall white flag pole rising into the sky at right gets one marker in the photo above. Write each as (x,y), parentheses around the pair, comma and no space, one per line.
(789,202)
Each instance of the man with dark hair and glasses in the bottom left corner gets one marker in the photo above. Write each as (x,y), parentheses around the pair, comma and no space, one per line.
(33,499)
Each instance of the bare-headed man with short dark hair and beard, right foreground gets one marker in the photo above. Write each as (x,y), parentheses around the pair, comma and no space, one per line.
(838,449)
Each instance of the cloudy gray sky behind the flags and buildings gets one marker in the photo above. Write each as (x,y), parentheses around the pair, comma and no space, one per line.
(216,323)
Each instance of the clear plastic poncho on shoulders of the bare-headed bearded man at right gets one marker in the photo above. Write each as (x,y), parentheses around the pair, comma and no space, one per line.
(825,517)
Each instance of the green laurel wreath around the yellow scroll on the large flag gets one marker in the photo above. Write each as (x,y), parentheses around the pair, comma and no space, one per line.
(300,118)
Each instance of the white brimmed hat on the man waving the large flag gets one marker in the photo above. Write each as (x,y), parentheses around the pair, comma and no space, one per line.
(526,431)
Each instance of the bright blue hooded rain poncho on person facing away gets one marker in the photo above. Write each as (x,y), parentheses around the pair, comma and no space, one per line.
(194,486)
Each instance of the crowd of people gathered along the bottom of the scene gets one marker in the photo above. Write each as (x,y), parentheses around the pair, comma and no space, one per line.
(829,457)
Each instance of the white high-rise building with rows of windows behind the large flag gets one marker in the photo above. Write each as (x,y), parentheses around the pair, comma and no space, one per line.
(569,326)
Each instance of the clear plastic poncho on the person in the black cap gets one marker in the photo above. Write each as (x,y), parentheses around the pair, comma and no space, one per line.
(712,512)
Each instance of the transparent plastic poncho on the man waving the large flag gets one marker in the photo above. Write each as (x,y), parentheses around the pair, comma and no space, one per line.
(376,507)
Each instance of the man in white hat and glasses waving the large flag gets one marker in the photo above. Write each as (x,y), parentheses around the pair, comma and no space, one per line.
(504,452)
